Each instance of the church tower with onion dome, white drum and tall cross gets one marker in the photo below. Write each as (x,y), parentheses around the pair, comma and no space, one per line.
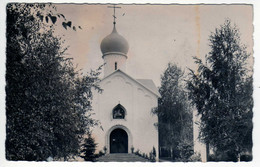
(114,48)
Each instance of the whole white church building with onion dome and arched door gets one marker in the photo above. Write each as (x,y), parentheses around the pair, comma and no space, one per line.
(124,108)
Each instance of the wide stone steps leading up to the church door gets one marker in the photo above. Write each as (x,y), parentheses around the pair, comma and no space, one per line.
(121,157)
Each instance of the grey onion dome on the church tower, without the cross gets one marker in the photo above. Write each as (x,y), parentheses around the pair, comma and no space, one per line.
(114,44)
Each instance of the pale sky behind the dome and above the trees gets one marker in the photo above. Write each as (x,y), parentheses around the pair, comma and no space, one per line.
(157,34)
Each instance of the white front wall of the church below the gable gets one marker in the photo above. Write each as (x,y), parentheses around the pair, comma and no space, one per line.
(138,122)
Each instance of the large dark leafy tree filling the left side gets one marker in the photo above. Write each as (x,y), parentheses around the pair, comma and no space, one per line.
(48,102)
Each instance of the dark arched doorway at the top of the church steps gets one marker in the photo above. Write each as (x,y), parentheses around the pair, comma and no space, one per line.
(118,141)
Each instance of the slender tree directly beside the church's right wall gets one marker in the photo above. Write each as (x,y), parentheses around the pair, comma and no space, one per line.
(174,113)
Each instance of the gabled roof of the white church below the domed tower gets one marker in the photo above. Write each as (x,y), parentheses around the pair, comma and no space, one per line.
(148,84)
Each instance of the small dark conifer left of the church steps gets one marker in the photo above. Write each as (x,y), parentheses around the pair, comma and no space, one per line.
(88,149)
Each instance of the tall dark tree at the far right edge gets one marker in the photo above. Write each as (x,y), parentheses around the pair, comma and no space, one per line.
(221,90)
